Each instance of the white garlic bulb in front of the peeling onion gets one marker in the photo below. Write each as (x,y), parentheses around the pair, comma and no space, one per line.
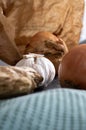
(40,64)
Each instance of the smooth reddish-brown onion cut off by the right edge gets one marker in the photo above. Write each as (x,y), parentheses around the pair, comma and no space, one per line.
(72,69)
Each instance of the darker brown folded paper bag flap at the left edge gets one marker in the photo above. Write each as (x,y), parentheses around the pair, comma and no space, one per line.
(8,50)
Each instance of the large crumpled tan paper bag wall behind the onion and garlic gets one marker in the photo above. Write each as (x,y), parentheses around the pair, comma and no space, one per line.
(62,18)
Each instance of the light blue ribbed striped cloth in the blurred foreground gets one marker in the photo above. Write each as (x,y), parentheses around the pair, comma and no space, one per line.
(55,109)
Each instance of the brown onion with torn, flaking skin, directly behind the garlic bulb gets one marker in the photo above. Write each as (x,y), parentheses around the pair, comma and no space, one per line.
(46,43)
